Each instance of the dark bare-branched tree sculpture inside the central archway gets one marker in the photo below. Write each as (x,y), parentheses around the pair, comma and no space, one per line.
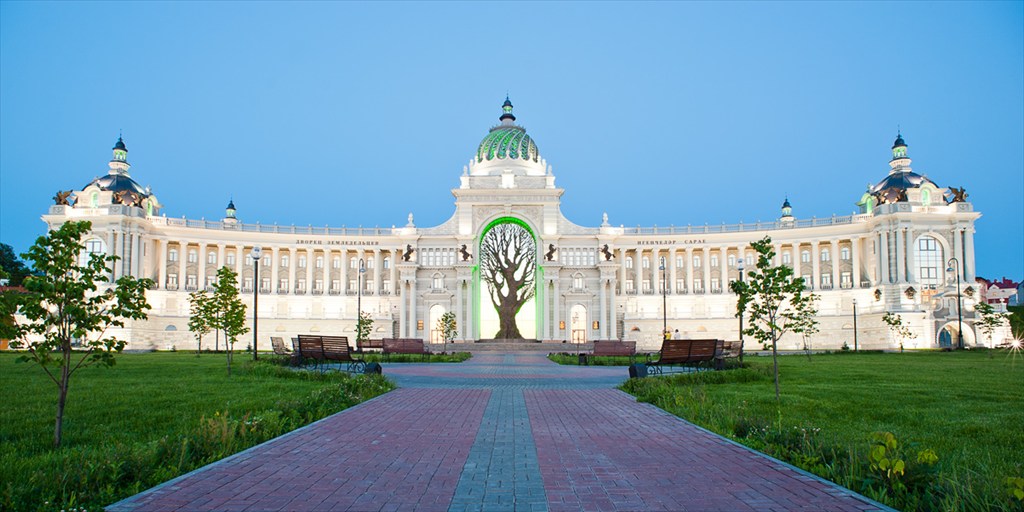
(508,266)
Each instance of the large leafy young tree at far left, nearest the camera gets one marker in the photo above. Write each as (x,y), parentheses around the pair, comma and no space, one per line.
(72,309)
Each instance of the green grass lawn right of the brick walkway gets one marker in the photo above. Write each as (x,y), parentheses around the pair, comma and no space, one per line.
(966,407)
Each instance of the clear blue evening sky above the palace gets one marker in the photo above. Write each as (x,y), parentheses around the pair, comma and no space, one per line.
(358,114)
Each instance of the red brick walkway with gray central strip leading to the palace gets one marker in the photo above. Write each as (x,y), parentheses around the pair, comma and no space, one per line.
(500,433)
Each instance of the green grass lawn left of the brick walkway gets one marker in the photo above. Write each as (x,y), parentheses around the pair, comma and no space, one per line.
(150,418)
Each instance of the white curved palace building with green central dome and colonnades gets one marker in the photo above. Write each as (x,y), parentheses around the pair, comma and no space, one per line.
(592,283)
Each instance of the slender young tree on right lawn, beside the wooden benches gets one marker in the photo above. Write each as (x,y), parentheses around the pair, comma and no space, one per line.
(775,303)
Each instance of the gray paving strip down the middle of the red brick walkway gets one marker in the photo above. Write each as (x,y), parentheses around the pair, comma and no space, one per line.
(502,472)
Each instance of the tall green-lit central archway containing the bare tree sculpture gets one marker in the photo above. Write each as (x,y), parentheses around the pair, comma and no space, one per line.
(506,278)
